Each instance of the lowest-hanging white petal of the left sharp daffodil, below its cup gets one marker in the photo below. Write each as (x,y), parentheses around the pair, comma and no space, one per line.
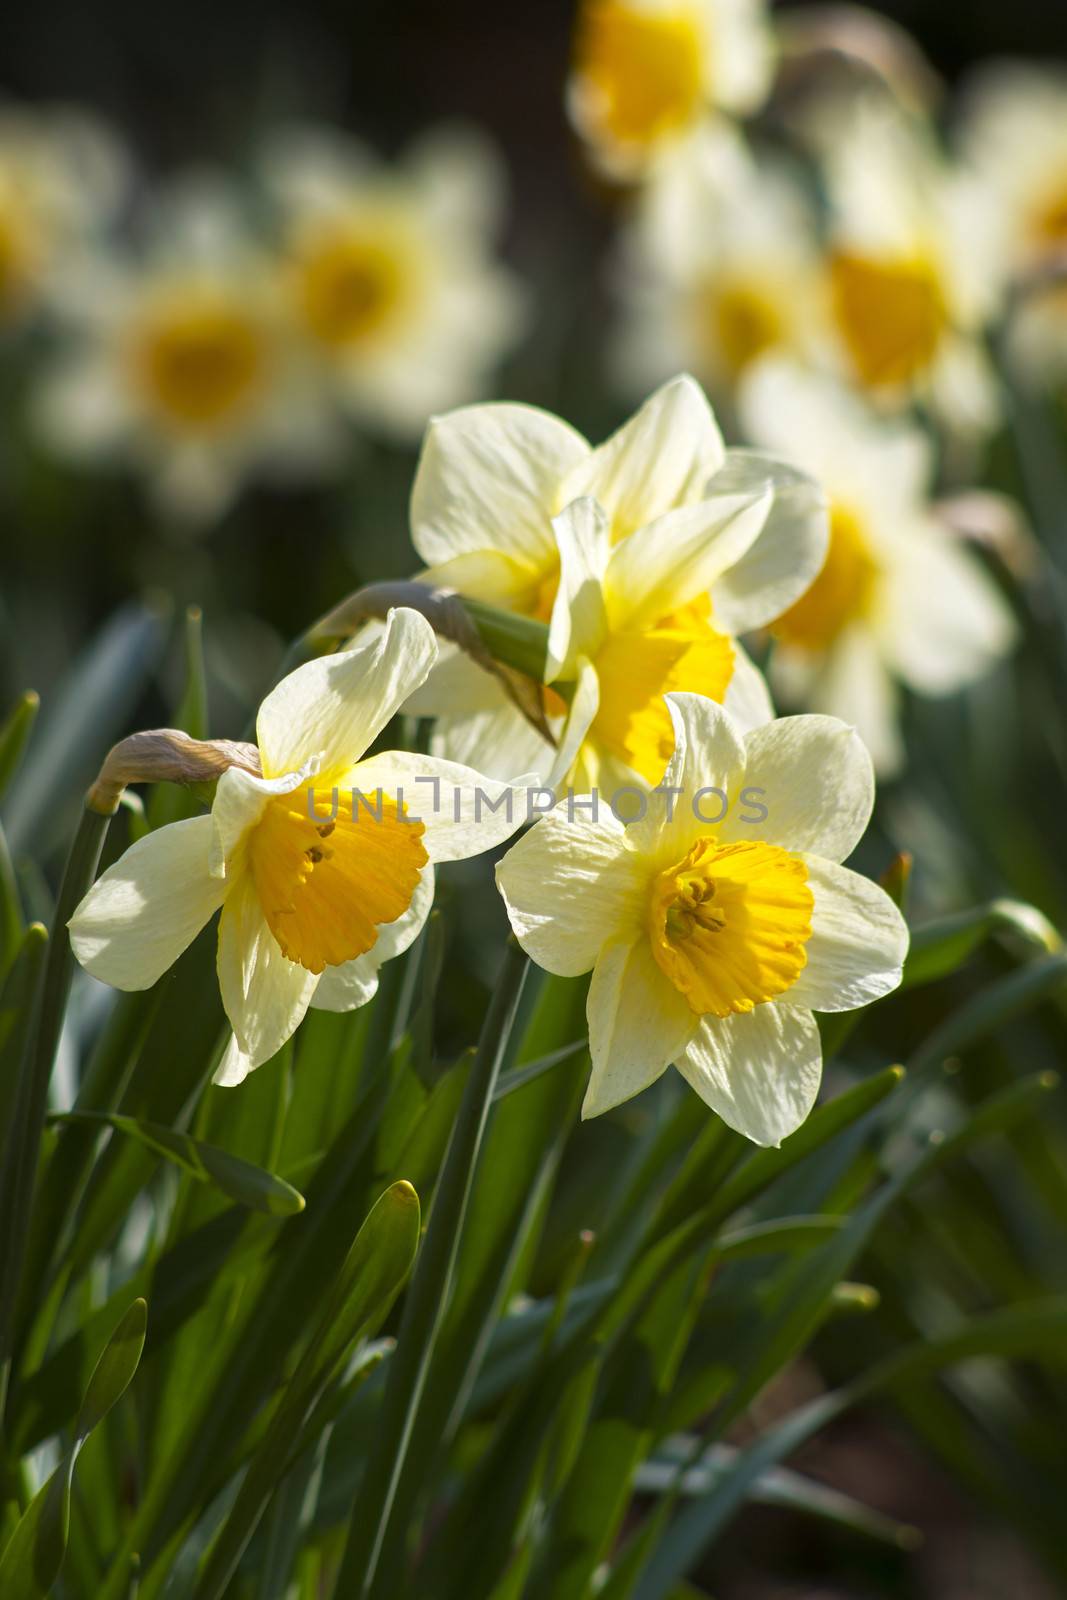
(265,994)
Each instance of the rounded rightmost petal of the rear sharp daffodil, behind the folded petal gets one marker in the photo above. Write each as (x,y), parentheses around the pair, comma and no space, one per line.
(789,551)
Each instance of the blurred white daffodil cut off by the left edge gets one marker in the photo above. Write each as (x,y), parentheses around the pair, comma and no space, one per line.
(62,180)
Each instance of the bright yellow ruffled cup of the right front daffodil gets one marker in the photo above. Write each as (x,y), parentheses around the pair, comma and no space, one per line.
(729,924)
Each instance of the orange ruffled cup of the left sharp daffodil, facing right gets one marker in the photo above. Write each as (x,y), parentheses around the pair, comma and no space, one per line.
(327,887)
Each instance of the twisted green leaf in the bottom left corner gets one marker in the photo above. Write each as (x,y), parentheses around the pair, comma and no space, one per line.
(33,1559)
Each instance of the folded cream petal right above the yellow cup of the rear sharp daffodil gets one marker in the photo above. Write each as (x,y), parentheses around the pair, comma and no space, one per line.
(671,562)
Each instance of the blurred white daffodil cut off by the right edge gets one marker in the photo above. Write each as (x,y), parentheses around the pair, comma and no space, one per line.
(1015,135)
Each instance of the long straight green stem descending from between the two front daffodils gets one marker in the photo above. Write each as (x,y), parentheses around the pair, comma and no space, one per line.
(426,1302)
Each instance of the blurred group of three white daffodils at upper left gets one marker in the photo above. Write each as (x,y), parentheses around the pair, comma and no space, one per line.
(233,329)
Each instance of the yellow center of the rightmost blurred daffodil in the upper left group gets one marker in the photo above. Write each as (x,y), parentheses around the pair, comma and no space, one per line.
(350,284)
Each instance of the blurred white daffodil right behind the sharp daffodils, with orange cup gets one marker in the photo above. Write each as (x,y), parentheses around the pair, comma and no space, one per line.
(898,599)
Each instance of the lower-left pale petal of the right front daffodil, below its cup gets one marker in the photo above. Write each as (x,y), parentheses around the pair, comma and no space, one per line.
(637,1025)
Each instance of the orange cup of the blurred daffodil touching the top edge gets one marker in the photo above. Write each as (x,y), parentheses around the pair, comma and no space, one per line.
(642,70)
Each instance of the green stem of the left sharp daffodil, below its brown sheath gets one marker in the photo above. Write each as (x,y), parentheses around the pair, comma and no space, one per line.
(33,1092)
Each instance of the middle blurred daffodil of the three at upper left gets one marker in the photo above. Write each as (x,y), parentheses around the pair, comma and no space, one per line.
(182,362)
